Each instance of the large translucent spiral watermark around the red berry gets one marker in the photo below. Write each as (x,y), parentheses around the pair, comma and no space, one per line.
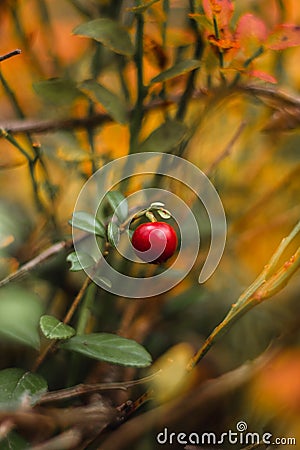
(144,164)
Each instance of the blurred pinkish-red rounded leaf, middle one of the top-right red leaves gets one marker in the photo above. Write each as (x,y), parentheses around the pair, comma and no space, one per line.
(250,32)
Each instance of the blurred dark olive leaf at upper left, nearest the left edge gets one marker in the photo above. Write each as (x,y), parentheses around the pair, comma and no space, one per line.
(58,91)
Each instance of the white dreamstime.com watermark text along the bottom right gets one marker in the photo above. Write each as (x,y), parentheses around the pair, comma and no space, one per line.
(239,436)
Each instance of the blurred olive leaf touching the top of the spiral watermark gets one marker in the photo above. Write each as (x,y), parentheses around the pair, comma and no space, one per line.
(164,138)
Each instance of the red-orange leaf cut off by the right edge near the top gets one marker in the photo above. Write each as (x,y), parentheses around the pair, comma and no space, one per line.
(284,36)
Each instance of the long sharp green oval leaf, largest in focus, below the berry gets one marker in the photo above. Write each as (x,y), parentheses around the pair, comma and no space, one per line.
(110,348)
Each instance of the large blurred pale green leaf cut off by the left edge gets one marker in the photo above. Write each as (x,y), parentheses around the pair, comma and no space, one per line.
(20,311)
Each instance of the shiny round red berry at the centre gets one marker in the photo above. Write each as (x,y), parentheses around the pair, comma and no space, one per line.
(154,242)
